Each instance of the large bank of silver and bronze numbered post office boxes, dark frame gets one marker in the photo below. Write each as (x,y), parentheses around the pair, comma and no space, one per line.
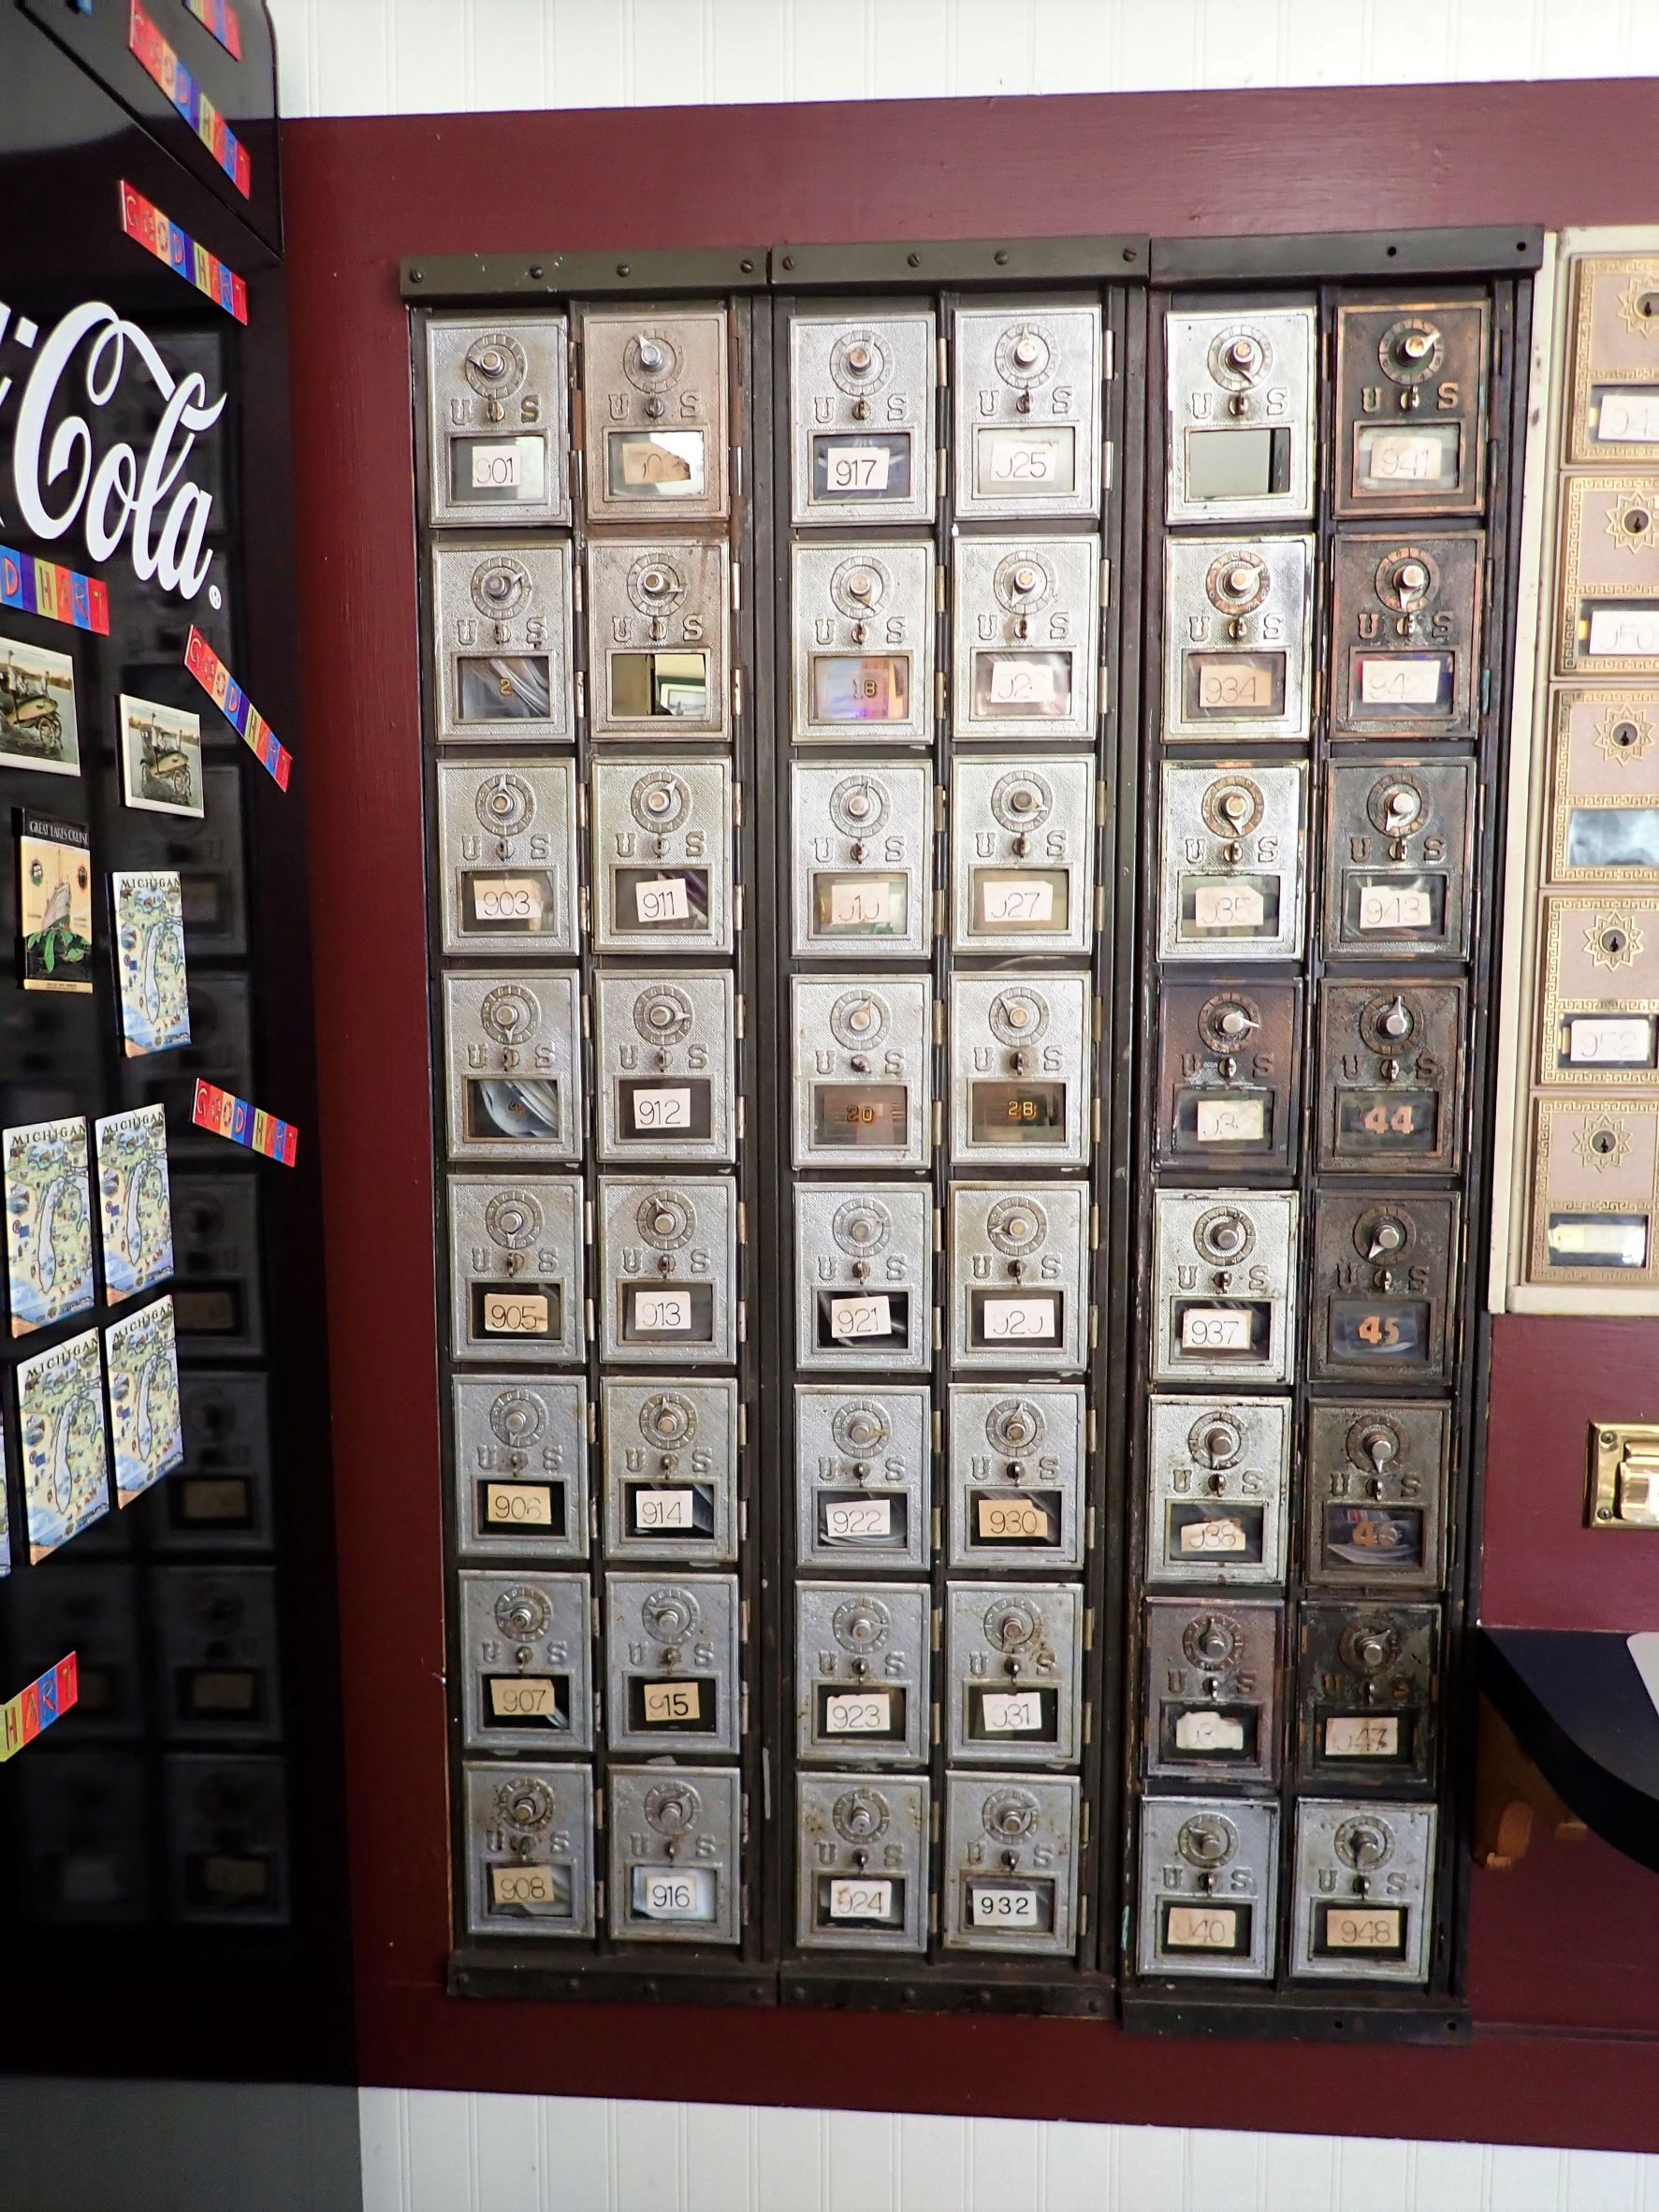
(963,808)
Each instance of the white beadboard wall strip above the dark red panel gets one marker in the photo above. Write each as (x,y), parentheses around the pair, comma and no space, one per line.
(419,56)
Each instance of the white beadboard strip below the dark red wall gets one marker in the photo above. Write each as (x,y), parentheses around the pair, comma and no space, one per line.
(428,2151)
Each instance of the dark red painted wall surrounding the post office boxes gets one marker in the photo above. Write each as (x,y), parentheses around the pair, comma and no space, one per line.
(1565,1961)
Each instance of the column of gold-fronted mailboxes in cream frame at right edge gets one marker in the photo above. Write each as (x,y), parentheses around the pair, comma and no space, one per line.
(1580,1231)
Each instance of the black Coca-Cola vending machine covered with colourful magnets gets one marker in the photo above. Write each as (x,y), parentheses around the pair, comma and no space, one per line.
(169,1799)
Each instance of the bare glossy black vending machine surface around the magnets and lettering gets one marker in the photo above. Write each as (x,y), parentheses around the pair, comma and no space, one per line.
(160,1853)
